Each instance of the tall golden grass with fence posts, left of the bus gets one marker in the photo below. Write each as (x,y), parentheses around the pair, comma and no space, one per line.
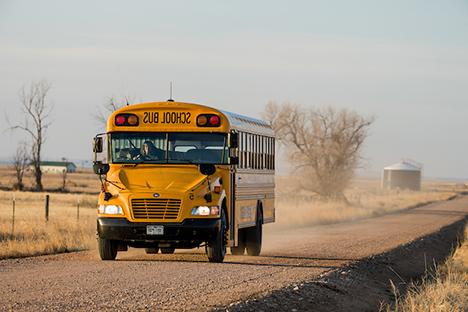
(32,235)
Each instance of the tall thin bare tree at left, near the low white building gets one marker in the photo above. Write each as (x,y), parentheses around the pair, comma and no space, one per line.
(36,121)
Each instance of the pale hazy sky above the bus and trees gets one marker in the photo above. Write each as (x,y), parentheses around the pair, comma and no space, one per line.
(404,62)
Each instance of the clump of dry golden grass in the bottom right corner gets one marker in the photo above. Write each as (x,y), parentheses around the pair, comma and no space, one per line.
(444,290)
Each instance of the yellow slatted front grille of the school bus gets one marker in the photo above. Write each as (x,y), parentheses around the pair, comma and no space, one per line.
(150,208)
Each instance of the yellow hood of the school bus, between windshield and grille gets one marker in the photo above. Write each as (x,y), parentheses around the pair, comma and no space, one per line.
(160,179)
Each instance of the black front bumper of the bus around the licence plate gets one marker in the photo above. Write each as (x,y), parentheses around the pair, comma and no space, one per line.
(189,231)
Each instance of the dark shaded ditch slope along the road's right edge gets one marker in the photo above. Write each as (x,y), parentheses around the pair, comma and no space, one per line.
(363,285)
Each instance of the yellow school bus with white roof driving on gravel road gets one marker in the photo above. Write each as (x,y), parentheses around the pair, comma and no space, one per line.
(181,175)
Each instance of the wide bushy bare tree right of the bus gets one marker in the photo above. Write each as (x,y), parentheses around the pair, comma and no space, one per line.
(324,145)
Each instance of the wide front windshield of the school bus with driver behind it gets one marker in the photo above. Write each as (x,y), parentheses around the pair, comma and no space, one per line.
(172,148)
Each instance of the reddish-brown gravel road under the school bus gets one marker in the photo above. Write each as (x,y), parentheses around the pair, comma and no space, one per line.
(186,281)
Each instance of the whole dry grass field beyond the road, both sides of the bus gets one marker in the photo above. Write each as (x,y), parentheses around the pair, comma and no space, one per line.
(33,236)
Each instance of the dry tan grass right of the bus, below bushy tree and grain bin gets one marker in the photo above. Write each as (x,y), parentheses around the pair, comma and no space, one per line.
(365,199)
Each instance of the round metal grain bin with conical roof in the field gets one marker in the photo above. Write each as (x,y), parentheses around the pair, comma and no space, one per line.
(402,175)
